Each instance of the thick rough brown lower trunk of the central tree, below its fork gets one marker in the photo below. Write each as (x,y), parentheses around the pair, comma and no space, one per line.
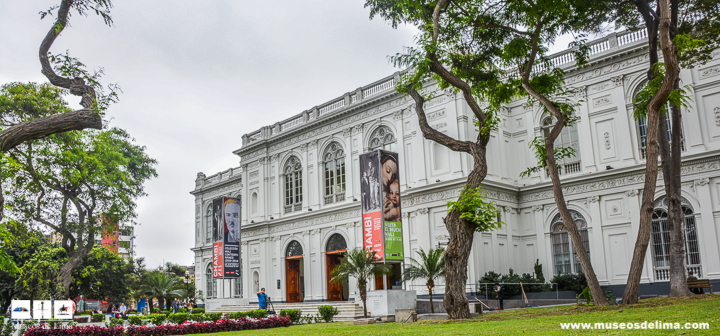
(457,253)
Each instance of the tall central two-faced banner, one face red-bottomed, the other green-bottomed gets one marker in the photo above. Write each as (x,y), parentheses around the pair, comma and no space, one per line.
(381,213)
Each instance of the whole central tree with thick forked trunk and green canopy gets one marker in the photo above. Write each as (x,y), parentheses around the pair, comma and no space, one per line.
(453,53)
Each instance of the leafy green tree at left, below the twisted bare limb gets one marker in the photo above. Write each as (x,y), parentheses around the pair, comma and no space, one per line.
(76,184)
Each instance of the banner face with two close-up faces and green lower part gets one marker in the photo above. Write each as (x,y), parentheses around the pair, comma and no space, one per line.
(392,216)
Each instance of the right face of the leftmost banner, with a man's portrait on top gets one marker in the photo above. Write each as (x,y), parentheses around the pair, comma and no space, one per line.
(231,239)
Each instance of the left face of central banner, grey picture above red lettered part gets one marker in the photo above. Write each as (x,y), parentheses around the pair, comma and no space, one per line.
(371,203)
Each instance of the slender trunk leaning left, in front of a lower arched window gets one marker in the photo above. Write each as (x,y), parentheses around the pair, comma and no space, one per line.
(595,290)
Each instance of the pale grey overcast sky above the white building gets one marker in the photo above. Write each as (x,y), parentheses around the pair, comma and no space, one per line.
(197,75)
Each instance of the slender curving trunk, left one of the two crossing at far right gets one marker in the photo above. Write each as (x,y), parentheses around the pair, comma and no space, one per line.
(672,70)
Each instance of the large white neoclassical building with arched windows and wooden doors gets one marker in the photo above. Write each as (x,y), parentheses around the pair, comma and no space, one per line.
(299,183)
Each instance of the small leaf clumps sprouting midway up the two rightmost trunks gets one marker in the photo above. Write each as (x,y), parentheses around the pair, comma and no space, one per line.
(680,97)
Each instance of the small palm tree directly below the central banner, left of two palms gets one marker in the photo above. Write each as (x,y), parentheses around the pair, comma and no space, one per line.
(362,265)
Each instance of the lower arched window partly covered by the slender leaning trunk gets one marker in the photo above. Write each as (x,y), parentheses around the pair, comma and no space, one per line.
(562,244)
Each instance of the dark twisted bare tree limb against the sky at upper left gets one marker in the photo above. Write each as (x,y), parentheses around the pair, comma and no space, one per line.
(72,78)
